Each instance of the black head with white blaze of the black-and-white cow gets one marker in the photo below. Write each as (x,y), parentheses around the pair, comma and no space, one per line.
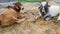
(44,8)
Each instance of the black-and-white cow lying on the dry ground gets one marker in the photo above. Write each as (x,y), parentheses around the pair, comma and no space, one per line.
(49,11)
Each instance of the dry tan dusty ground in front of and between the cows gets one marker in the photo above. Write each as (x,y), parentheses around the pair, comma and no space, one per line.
(30,27)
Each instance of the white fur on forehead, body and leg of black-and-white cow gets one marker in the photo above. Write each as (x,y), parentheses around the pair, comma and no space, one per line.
(53,10)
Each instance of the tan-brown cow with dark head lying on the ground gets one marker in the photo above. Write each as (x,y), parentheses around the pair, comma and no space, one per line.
(10,15)
